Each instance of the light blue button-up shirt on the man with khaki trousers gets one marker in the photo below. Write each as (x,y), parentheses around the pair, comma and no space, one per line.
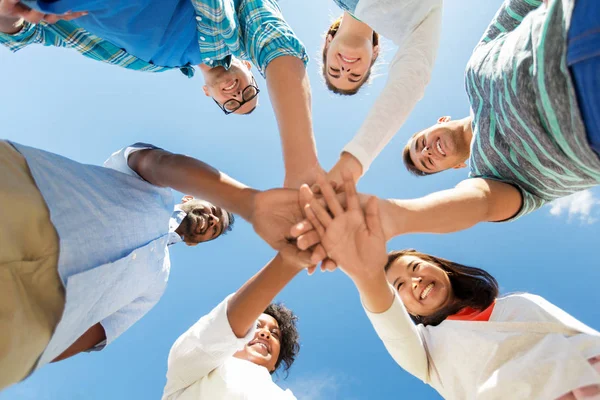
(113,230)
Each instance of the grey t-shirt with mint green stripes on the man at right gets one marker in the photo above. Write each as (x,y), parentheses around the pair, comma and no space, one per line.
(527,127)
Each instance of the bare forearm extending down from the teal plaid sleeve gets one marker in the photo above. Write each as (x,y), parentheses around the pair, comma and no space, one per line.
(289,90)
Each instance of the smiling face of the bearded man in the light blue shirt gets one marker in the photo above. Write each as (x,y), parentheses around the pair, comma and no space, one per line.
(203,221)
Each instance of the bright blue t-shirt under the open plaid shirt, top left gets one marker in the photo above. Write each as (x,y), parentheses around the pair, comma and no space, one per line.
(161,32)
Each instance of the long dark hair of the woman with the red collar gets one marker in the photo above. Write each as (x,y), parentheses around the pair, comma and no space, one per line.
(472,287)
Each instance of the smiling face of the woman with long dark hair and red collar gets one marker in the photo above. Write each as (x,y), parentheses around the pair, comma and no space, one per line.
(423,287)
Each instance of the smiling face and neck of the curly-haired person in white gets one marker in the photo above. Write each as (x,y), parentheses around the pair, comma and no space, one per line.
(264,348)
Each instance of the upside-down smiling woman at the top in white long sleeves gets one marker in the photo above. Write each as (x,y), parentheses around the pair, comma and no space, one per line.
(352,45)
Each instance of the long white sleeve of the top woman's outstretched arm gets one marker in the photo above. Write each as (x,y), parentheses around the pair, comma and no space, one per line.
(409,74)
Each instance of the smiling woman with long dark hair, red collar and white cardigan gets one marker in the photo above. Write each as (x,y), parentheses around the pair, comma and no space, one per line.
(466,341)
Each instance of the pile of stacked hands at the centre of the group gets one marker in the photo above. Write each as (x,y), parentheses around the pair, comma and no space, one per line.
(317,225)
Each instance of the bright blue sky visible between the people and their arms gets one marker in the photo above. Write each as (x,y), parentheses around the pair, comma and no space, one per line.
(56,100)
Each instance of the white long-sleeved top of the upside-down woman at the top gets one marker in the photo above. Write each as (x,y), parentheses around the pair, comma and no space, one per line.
(414,26)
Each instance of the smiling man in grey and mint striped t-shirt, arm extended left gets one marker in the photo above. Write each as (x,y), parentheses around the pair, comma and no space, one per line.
(534,133)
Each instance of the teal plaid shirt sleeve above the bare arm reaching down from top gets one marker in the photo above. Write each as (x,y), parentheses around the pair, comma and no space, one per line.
(268,35)
